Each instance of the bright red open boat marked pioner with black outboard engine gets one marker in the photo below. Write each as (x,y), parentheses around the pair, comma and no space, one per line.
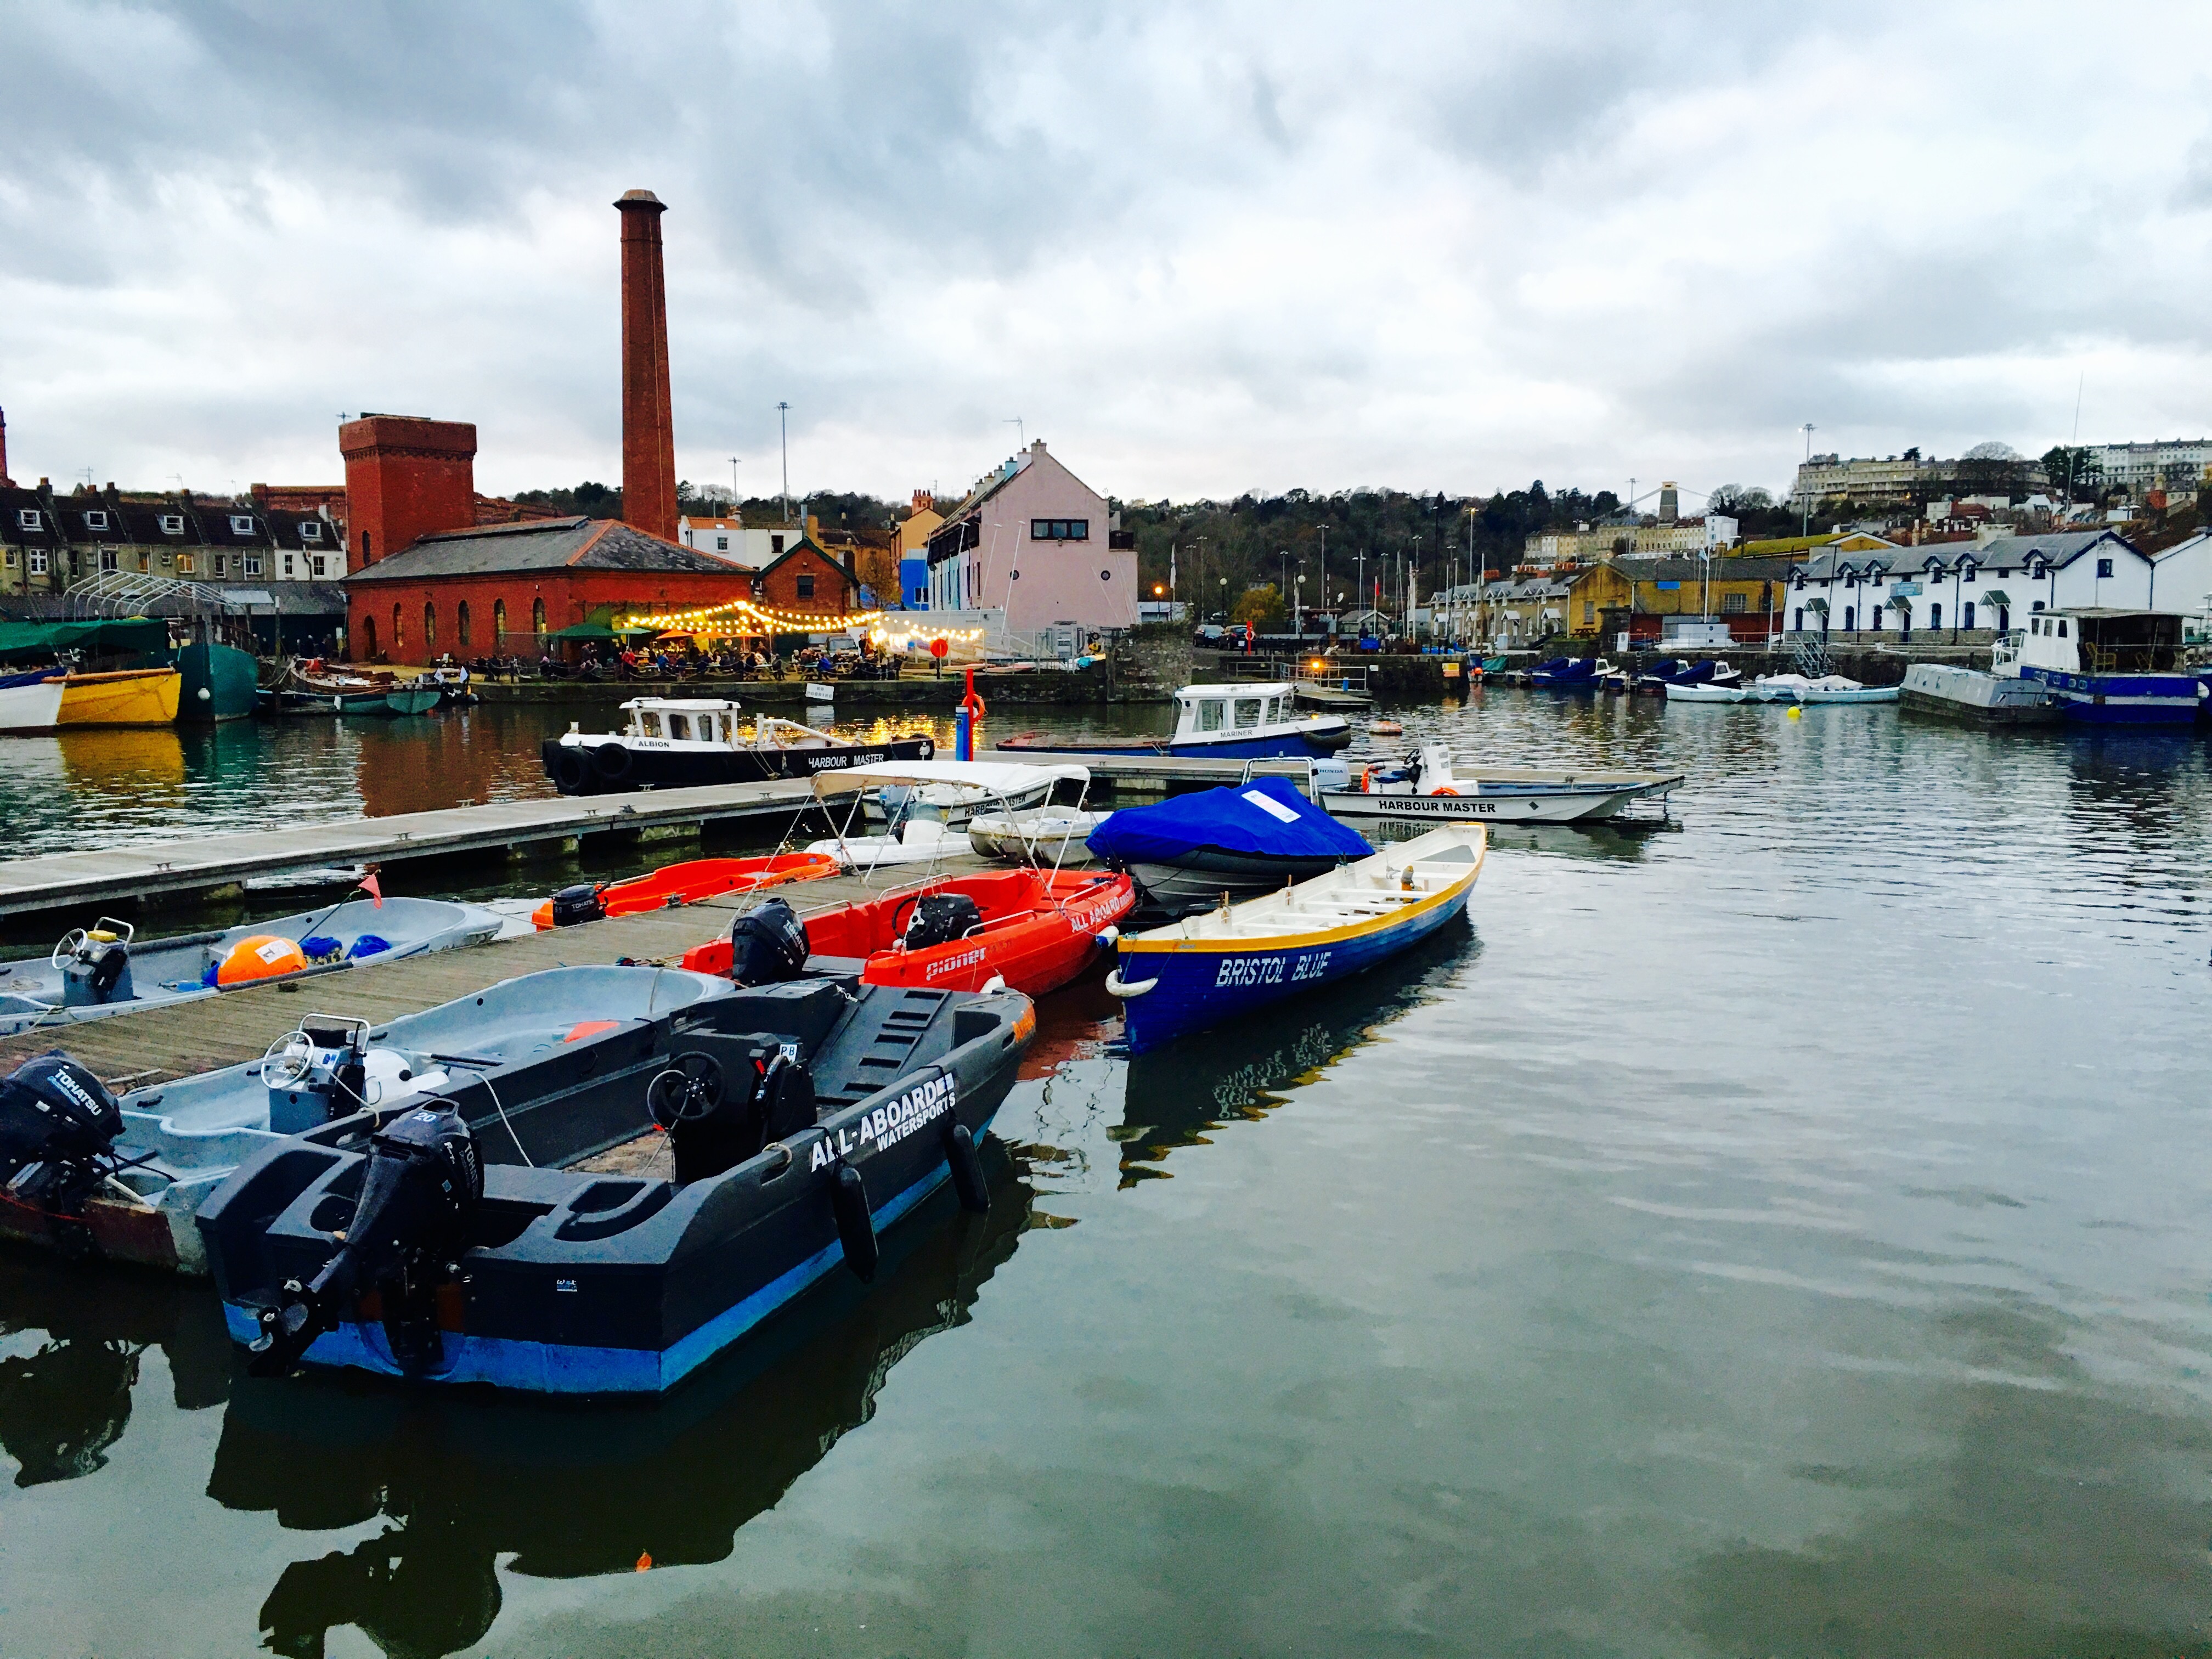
(1032,928)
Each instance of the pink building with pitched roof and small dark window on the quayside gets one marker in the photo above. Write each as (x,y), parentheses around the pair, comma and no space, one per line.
(1036,543)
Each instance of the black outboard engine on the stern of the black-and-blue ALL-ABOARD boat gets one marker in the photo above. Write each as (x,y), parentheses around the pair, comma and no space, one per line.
(410,1229)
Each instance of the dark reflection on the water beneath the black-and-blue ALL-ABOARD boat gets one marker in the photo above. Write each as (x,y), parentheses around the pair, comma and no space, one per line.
(572,1490)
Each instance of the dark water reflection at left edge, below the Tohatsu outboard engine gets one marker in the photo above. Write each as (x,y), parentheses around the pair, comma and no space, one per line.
(72,1348)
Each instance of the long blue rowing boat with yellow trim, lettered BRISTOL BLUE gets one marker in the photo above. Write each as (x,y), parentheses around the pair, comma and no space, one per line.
(1231,961)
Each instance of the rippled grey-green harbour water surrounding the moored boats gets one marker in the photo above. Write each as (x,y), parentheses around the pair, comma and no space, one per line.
(1760,1235)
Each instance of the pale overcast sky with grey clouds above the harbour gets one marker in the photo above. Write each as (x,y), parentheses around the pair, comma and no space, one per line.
(1198,249)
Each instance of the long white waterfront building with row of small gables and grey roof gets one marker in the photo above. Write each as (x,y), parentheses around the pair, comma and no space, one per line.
(1968,589)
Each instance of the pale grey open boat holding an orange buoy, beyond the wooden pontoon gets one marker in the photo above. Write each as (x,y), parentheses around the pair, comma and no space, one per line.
(103,970)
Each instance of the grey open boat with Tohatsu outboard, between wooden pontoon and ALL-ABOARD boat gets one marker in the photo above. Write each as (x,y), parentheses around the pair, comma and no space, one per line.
(127,1182)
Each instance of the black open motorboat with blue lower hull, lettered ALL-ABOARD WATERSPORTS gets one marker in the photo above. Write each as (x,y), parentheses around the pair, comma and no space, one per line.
(585,1253)
